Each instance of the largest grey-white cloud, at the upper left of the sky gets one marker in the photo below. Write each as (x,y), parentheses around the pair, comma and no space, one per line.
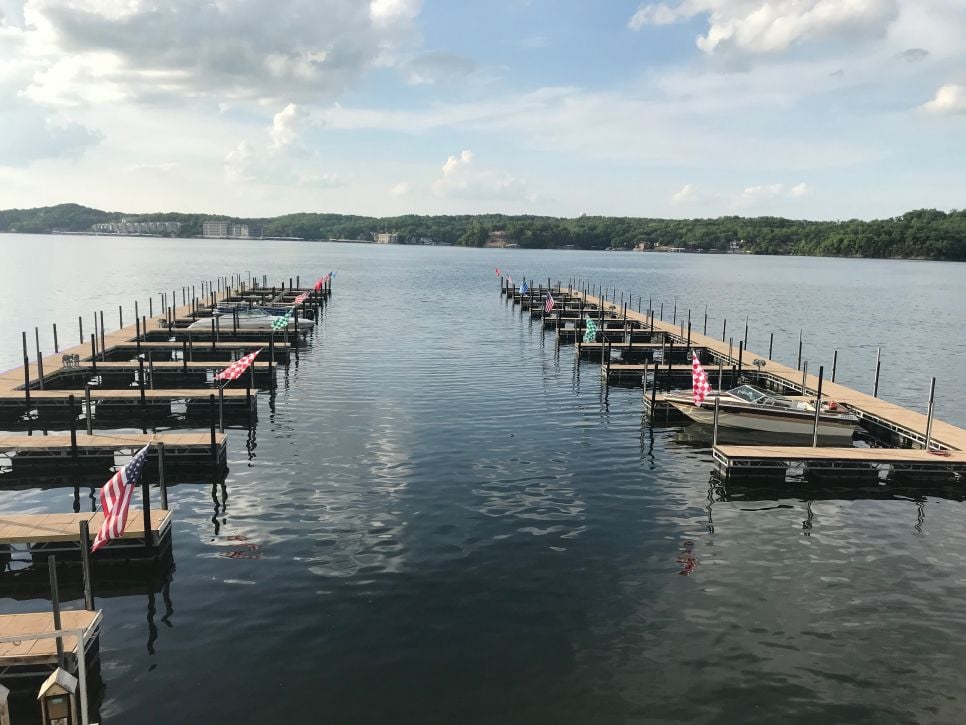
(100,51)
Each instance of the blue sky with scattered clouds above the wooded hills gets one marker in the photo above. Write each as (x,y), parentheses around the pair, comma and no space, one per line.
(822,109)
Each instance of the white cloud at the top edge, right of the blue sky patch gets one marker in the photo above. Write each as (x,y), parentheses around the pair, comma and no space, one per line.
(772,26)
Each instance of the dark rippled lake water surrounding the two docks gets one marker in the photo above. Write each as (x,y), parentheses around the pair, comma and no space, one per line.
(442,519)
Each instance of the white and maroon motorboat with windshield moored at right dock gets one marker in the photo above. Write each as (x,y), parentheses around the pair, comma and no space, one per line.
(753,409)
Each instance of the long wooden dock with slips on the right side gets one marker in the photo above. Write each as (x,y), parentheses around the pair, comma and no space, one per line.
(947,443)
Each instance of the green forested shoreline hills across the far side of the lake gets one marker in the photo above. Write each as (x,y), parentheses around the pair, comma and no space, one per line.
(921,234)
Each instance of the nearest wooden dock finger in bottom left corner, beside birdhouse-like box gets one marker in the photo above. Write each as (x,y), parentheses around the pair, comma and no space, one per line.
(37,658)
